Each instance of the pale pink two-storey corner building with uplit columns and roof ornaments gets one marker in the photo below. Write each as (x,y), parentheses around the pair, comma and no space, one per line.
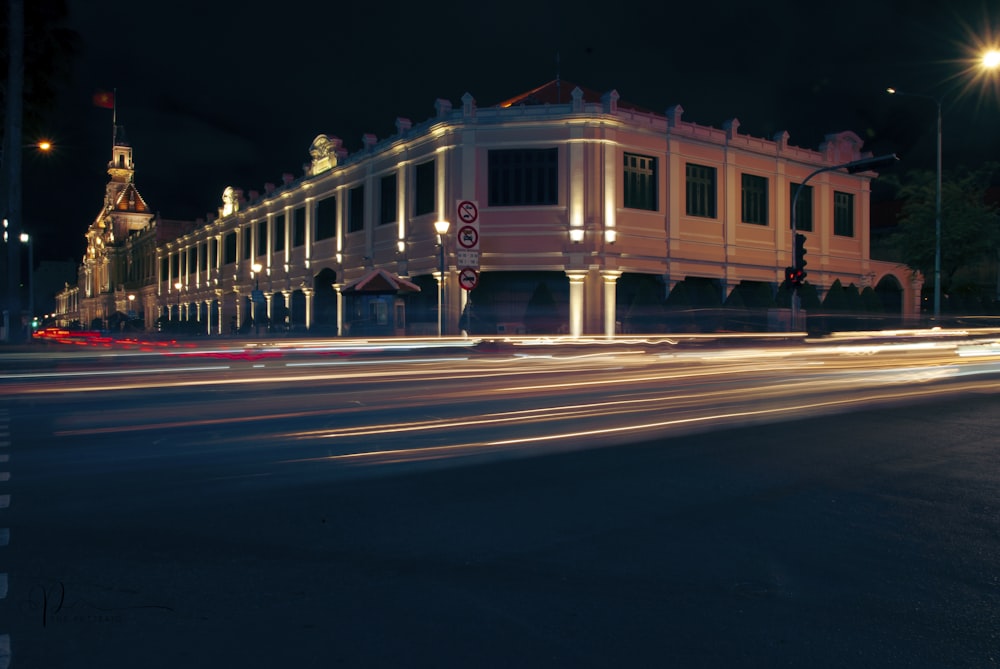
(584,204)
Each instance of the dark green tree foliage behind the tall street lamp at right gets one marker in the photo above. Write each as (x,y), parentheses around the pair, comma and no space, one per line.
(970,226)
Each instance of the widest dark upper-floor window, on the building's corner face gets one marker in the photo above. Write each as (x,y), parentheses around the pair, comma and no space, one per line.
(523,177)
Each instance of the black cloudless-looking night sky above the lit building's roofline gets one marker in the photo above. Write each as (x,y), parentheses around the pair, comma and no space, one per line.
(215,93)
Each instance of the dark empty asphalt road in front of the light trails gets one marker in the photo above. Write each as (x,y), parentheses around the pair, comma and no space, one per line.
(864,538)
